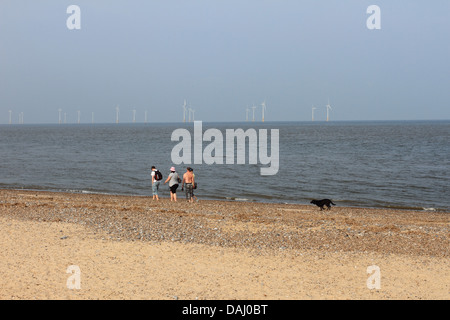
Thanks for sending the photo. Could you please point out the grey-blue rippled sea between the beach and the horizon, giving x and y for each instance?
(373, 164)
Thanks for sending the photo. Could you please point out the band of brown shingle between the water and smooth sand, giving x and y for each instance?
(258, 226)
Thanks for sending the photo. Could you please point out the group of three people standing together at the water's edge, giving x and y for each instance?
(187, 183)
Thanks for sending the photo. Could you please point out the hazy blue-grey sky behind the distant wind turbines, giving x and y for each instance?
(222, 56)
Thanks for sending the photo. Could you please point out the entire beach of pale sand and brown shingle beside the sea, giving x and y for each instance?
(128, 247)
